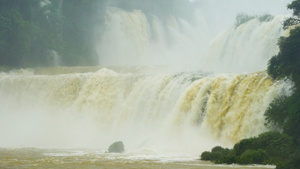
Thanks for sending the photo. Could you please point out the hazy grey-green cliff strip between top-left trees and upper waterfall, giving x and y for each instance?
(81, 18)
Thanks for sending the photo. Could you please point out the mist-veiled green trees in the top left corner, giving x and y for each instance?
(28, 31)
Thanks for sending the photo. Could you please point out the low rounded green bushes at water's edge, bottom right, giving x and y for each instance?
(267, 148)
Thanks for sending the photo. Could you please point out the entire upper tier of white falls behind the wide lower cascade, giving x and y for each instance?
(131, 38)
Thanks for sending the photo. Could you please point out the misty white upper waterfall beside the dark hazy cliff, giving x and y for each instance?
(131, 38)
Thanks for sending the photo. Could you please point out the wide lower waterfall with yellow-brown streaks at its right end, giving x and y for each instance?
(143, 110)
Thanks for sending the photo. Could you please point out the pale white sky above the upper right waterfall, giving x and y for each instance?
(222, 13)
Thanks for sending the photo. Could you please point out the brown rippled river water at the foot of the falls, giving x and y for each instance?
(56, 158)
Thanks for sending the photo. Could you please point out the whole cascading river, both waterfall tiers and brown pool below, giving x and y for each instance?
(67, 117)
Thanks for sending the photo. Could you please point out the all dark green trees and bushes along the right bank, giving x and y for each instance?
(282, 145)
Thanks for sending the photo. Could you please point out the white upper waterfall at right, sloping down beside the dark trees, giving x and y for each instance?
(245, 48)
